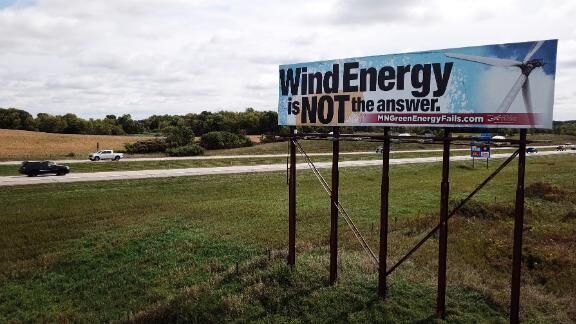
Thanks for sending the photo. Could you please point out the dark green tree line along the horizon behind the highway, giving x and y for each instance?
(248, 122)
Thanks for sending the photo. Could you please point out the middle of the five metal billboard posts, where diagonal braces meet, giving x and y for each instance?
(384, 190)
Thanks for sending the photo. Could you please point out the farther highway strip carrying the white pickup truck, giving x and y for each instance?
(220, 157)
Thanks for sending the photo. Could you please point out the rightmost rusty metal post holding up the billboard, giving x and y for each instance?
(518, 227)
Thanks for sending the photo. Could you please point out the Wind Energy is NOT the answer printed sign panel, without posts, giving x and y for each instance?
(506, 86)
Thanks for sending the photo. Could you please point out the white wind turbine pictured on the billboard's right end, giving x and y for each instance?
(523, 82)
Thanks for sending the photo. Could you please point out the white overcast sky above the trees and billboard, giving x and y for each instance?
(146, 57)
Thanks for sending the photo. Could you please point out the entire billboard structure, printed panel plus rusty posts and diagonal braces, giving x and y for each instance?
(361, 92)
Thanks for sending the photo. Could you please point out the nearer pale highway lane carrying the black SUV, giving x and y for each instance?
(144, 174)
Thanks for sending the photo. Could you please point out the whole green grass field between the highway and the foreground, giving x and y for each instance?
(166, 249)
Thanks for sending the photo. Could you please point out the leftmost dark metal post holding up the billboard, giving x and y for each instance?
(292, 200)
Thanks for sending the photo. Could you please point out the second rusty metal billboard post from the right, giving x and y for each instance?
(443, 240)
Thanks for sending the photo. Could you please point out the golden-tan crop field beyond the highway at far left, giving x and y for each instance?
(22, 145)
